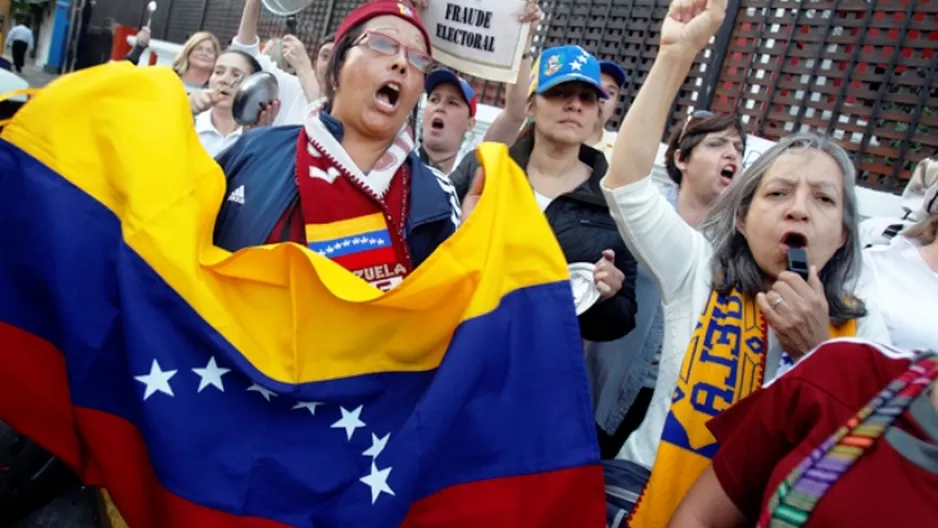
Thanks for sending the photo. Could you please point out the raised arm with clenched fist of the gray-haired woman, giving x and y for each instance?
(671, 250)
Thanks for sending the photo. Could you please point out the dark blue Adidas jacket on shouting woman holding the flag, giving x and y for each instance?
(263, 162)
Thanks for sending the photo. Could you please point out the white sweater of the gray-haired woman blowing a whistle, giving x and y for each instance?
(679, 257)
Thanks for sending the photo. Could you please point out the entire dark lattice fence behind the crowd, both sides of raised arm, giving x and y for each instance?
(863, 71)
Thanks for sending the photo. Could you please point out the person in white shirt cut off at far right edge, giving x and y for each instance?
(902, 277)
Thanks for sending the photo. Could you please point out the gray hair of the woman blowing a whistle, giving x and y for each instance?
(733, 263)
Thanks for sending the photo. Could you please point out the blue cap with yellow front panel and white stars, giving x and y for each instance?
(565, 64)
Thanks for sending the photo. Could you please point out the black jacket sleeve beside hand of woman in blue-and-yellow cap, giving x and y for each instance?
(613, 318)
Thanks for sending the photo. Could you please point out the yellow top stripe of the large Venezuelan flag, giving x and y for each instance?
(310, 319)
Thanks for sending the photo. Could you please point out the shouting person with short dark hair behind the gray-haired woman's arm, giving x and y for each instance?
(623, 373)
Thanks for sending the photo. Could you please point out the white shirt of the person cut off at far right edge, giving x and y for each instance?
(898, 281)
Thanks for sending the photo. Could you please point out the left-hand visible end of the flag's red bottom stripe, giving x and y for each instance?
(34, 399)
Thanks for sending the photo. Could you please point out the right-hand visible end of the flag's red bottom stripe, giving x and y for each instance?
(542, 499)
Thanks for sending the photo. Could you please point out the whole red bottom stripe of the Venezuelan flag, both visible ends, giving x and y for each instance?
(34, 399)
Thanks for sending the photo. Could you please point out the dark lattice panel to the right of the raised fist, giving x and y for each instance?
(864, 72)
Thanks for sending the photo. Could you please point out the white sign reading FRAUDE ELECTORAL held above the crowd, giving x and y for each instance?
(478, 37)
